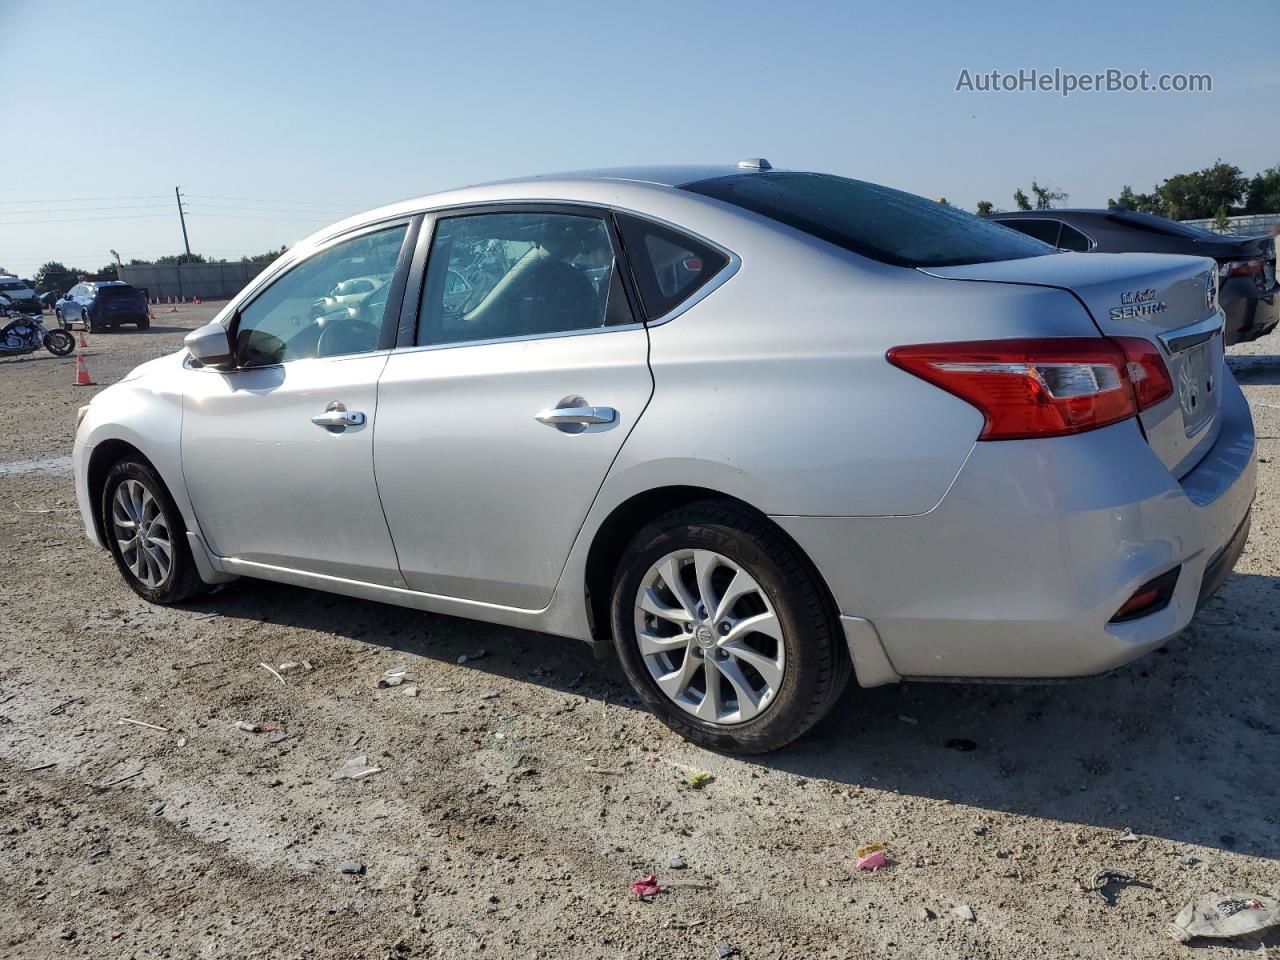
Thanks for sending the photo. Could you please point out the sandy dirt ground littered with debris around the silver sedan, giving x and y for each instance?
(523, 792)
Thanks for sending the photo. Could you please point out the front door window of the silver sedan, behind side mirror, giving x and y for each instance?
(299, 317)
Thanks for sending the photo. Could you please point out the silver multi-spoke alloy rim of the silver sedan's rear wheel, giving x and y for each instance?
(710, 637)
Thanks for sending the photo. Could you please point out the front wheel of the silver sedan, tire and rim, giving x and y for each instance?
(147, 536)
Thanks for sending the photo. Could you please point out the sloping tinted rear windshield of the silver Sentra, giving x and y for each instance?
(877, 222)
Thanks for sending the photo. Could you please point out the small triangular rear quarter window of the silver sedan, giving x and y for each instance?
(670, 267)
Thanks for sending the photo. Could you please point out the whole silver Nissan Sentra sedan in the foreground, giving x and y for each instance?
(810, 427)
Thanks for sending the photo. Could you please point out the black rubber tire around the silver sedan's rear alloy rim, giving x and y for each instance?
(817, 660)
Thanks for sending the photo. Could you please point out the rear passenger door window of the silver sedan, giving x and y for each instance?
(501, 276)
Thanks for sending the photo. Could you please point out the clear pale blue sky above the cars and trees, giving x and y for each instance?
(280, 117)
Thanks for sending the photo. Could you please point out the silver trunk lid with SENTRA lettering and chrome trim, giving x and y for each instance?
(1163, 299)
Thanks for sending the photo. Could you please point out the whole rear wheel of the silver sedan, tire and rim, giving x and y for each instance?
(725, 630)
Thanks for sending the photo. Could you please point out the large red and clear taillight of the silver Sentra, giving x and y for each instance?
(1044, 387)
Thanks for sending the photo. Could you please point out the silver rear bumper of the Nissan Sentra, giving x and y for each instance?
(1020, 570)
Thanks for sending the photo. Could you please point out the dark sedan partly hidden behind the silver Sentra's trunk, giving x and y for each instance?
(1246, 267)
